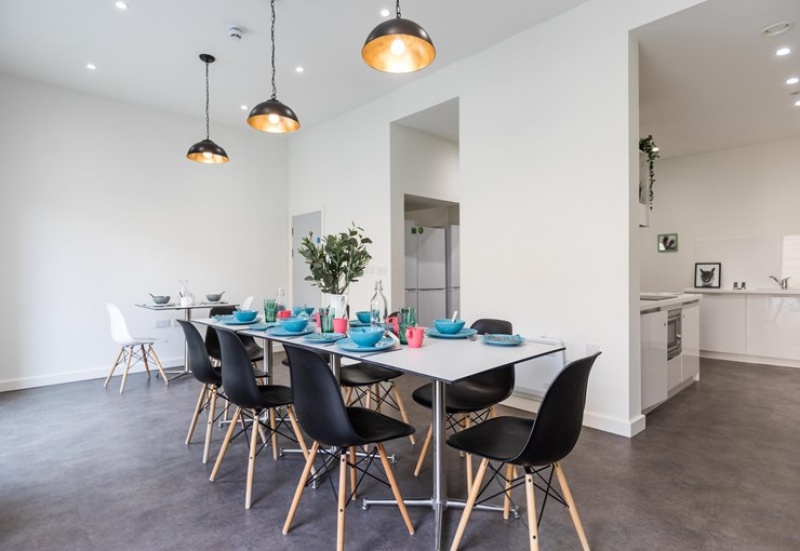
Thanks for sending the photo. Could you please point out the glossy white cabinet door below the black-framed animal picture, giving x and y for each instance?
(723, 323)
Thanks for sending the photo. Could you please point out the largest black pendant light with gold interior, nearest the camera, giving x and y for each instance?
(398, 46)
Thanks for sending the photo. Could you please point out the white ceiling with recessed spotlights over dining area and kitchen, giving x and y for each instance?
(708, 79)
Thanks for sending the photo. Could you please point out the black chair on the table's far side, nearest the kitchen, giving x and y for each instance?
(470, 400)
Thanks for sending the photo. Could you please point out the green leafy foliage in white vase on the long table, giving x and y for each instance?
(338, 260)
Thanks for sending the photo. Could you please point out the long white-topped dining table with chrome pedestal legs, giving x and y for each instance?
(443, 361)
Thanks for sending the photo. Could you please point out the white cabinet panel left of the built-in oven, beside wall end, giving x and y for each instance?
(654, 358)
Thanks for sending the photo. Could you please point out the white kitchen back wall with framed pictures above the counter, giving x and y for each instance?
(720, 204)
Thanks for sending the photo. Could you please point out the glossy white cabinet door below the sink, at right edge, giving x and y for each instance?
(773, 326)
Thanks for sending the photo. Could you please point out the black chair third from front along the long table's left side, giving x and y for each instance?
(210, 377)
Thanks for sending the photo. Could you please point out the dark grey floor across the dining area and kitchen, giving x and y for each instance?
(82, 468)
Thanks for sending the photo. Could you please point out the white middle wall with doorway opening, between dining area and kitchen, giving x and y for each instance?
(548, 185)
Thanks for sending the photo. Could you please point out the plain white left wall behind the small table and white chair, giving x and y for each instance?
(99, 204)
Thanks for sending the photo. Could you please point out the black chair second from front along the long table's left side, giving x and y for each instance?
(251, 401)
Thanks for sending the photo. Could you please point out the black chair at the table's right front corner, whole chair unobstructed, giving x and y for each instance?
(537, 445)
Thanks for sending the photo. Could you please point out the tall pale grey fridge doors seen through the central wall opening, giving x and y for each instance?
(432, 278)
